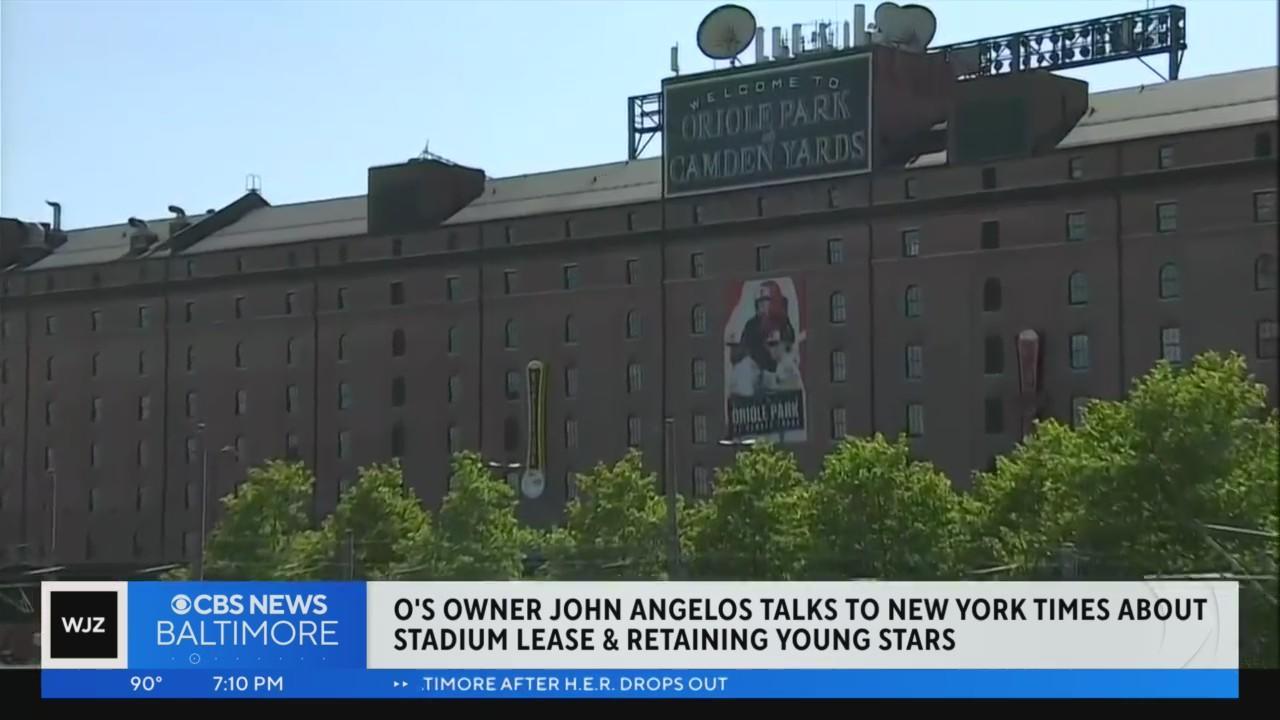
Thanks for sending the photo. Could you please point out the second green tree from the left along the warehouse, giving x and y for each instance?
(377, 528)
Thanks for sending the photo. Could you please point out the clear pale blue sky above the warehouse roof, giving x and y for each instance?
(121, 110)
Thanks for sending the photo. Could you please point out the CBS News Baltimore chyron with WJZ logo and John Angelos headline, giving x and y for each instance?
(641, 640)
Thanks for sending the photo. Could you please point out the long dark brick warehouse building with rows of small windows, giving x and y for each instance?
(401, 323)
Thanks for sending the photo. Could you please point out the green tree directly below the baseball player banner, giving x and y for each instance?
(756, 523)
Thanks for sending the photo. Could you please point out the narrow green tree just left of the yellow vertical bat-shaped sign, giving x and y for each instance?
(481, 539)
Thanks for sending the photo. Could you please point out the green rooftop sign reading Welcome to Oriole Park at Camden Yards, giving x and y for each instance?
(766, 125)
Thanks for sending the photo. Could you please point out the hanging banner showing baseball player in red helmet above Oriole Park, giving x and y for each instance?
(765, 395)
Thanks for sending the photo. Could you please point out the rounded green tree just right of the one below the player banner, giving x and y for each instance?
(879, 514)
